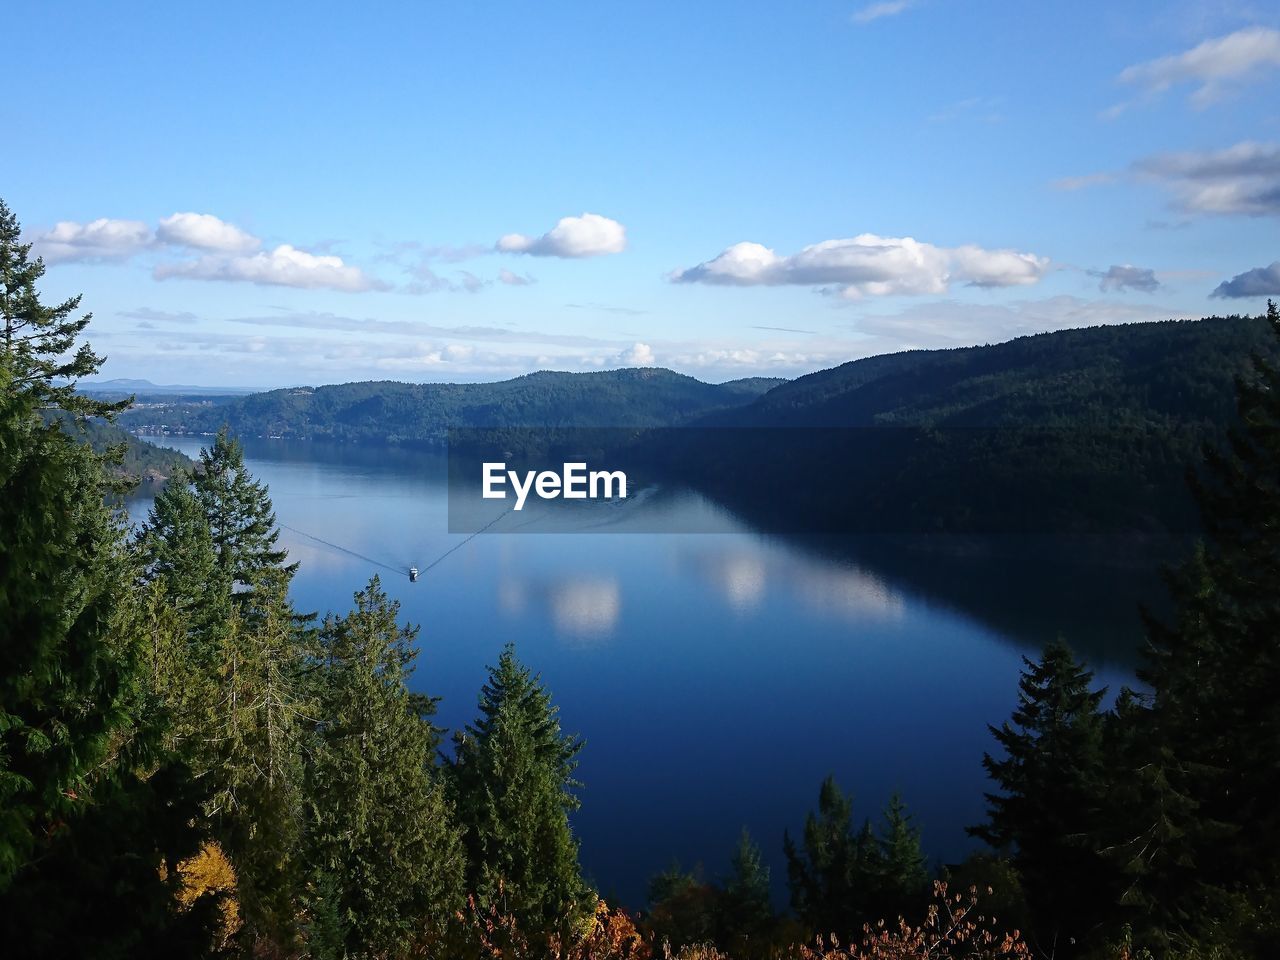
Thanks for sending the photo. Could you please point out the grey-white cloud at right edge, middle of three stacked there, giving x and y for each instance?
(1241, 180)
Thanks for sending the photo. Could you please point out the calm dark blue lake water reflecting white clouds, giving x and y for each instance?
(716, 678)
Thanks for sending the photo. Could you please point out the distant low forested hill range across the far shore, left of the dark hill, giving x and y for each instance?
(401, 413)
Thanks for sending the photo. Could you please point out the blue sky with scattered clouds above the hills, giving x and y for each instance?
(268, 195)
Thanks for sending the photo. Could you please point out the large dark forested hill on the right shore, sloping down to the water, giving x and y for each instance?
(1089, 431)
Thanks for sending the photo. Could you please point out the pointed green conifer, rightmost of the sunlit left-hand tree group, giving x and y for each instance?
(513, 778)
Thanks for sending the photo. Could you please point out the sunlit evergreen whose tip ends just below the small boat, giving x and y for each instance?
(381, 842)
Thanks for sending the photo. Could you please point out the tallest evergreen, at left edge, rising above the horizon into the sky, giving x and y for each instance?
(90, 807)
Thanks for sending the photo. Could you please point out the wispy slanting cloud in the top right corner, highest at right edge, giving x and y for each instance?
(1214, 67)
